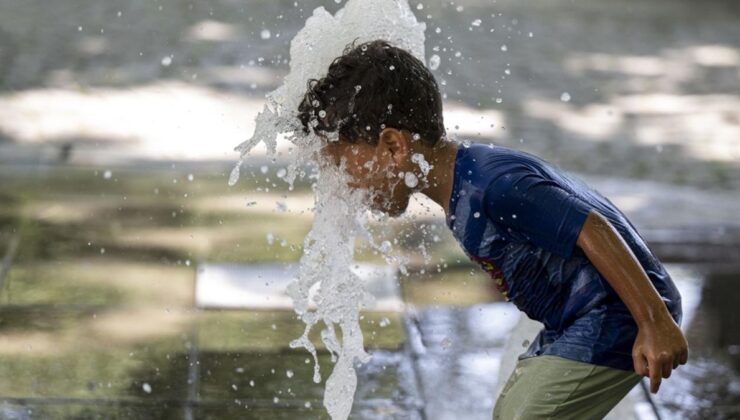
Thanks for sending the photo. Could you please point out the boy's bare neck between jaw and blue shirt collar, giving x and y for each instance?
(442, 159)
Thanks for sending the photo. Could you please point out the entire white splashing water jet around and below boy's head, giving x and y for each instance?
(340, 213)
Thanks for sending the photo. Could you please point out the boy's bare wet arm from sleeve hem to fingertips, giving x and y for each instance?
(660, 346)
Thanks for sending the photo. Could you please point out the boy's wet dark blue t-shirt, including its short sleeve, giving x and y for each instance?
(519, 217)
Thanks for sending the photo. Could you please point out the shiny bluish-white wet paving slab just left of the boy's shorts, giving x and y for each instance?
(457, 353)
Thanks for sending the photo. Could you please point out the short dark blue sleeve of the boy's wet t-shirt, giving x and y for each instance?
(547, 214)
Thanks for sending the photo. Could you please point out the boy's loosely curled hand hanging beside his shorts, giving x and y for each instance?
(659, 348)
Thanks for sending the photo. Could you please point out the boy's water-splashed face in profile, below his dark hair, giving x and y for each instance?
(375, 168)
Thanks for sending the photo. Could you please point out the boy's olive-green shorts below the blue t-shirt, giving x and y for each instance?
(554, 387)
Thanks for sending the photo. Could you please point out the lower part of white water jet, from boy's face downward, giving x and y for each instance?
(328, 256)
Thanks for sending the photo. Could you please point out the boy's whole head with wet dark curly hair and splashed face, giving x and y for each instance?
(384, 106)
